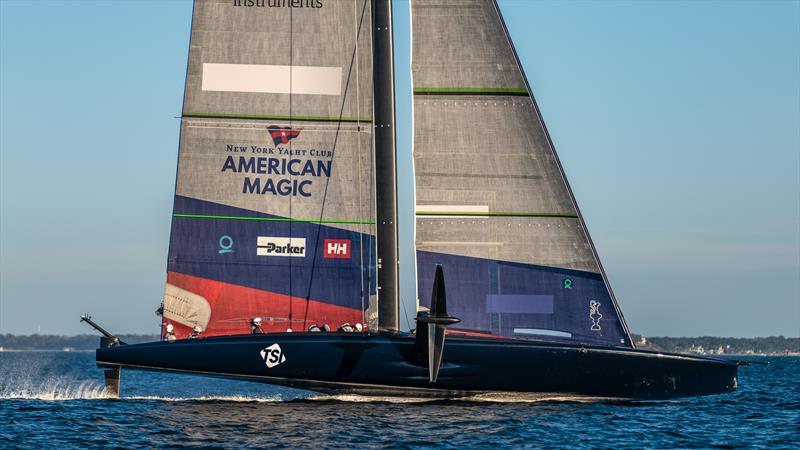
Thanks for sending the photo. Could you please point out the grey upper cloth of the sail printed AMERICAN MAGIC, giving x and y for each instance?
(240, 60)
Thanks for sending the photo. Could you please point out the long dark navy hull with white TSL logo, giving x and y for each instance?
(391, 365)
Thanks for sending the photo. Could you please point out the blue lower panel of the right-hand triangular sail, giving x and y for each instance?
(494, 297)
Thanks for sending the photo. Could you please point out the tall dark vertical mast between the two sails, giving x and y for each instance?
(385, 164)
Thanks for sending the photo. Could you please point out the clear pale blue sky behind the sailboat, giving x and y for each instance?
(678, 124)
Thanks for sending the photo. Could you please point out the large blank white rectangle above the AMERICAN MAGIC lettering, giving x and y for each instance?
(272, 79)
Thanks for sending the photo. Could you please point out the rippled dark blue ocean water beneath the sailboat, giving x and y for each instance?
(56, 400)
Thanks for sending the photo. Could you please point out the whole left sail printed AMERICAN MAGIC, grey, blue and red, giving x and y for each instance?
(274, 206)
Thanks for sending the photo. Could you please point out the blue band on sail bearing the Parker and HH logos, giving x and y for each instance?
(238, 246)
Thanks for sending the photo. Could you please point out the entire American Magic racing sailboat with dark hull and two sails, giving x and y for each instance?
(284, 225)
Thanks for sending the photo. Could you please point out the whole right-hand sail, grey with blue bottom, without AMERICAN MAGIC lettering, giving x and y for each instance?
(492, 203)
